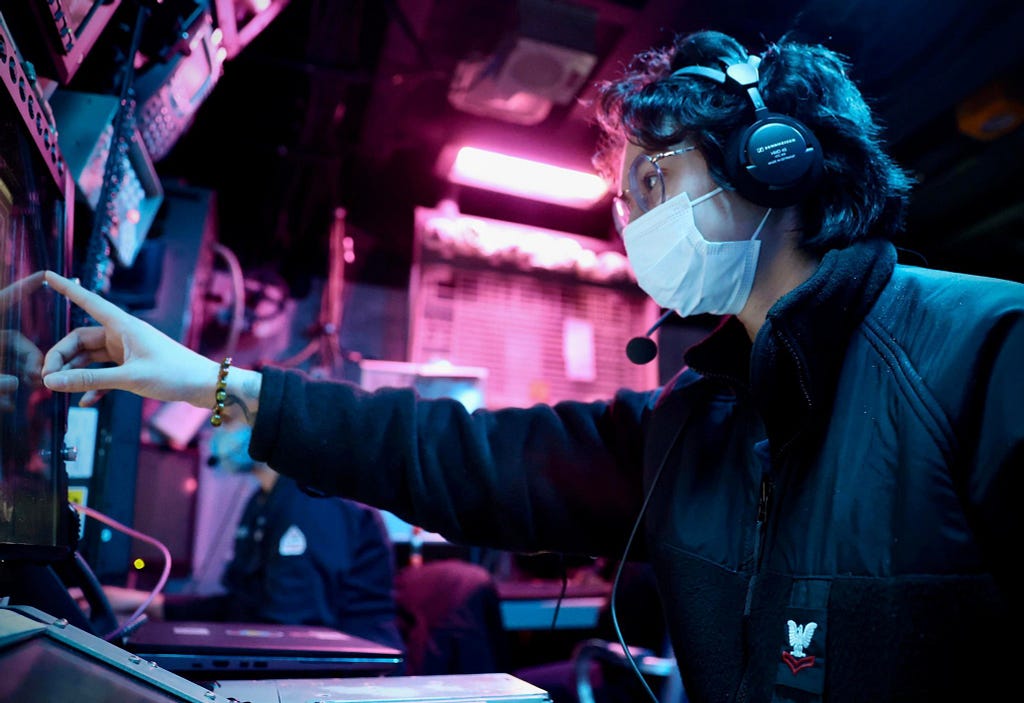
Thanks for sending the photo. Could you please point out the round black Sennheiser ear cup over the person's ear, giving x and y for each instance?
(775, 162)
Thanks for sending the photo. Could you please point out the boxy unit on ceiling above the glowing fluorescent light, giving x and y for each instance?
(544, 63)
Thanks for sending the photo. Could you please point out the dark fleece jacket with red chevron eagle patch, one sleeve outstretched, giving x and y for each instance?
(829, 511)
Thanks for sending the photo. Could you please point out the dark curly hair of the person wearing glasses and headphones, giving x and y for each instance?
(863, 193)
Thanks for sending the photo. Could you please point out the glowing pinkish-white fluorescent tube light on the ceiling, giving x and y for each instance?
(526, 179)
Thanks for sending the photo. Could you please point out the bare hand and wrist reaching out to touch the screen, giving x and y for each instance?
(139, 359)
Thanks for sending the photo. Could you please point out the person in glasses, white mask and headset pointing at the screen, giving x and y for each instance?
(826, 491)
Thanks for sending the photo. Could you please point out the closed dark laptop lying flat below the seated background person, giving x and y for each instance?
(219, 650)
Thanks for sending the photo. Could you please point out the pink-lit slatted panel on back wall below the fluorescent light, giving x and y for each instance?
(514, 325)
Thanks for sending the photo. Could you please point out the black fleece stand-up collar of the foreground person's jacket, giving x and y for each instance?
(793, 367)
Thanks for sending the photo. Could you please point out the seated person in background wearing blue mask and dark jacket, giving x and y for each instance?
(298, 559)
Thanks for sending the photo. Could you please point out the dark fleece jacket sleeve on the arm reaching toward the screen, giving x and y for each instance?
(565, 477)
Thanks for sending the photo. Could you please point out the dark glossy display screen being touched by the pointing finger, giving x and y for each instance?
(34, 217)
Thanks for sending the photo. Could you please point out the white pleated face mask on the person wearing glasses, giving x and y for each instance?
(686, 273)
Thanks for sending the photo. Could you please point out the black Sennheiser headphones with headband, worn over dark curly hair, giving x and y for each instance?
(776, 160)
